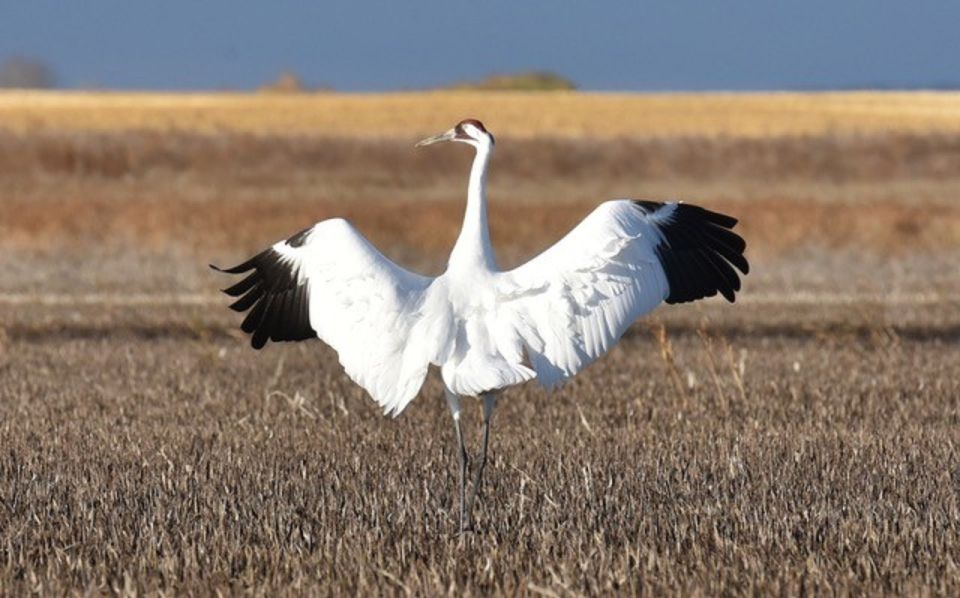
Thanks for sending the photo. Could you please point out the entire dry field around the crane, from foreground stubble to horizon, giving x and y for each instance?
(802, 440)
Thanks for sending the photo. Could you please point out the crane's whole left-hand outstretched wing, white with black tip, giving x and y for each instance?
(329, 282)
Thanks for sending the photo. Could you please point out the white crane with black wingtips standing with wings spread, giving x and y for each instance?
(486, 329)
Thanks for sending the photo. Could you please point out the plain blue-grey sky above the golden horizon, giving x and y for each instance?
(678, 45)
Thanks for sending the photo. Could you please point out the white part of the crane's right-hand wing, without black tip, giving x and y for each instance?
(573, 302)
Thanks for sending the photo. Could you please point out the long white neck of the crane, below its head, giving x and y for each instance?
(473, 249)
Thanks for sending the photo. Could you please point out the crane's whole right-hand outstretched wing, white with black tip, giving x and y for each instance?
(570, 304)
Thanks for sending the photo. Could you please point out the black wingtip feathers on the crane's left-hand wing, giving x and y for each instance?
(276, 297)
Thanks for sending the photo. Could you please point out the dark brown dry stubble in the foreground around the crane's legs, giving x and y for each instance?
(775, 462)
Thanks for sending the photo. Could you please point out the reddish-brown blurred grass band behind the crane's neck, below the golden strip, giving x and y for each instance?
(210, 194)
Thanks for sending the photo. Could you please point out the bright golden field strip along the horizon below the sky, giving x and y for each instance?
(513, 114)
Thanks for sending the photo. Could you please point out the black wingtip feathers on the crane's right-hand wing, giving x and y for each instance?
(700, 254)
